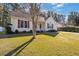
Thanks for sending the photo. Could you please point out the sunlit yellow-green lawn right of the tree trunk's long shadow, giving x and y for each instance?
(61, 44)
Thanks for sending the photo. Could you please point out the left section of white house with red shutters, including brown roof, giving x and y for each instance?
(20, 21)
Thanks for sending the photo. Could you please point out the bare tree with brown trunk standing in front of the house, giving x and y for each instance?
(34, 12)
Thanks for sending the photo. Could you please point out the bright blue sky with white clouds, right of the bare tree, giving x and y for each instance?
(62, 8)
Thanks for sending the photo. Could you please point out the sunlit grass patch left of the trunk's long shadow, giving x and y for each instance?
(9, 44)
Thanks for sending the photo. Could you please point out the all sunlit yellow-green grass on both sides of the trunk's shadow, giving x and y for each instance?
(63, 44)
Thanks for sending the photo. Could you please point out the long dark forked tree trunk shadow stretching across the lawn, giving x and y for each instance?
(19, 48)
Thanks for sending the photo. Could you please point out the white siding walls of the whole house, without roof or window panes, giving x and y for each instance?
(53, 25)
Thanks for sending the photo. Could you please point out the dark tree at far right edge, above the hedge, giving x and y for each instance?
(73, 18)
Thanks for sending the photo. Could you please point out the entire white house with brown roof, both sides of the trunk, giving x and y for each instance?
(23, 22)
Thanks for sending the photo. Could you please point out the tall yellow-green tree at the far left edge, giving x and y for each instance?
(5, 16)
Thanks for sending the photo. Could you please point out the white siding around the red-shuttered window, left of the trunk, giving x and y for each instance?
(16, 26)
